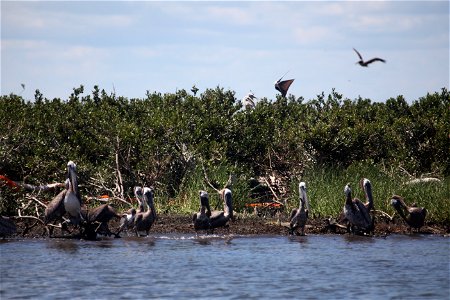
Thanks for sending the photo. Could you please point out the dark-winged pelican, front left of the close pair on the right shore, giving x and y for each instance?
(356, 212)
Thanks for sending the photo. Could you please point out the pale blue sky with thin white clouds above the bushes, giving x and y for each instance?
(131, 47)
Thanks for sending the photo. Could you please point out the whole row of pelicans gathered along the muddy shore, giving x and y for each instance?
(359, 215)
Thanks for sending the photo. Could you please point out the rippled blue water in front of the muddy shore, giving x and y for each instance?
(227, 267)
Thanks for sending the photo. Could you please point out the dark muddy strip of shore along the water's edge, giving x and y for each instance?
(242, 225)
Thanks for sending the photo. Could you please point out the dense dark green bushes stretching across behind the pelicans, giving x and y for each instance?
(172, 140)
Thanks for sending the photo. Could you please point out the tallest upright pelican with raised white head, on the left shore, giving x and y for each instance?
(72, 199)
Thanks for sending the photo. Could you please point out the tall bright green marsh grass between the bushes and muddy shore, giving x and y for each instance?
(325, 189)
